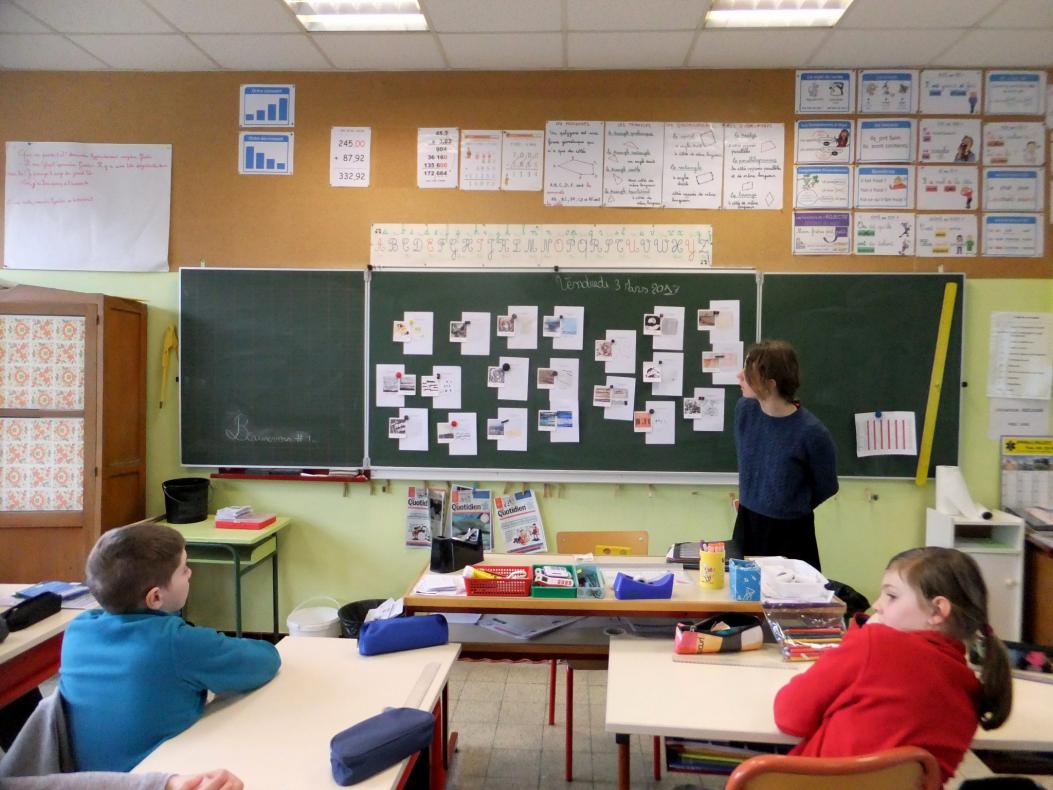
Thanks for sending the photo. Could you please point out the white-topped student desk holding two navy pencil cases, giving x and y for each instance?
(279, 737)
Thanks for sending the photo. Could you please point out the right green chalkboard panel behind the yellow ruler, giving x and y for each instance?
(866, 344)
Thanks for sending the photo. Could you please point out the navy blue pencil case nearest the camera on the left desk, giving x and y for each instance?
(380, 742)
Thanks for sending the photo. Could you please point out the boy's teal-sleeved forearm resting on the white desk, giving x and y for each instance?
(222, 664)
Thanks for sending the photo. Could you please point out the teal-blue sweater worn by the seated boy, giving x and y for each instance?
(132, 681)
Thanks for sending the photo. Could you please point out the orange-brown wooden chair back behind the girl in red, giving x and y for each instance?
(903, 768)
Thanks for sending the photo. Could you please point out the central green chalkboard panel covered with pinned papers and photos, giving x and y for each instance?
(612, 301)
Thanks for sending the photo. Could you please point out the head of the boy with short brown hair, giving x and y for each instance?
(130, 562)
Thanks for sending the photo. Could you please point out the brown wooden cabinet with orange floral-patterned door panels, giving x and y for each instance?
(73, 427)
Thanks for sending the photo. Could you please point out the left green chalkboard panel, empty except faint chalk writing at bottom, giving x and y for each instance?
(271, 368)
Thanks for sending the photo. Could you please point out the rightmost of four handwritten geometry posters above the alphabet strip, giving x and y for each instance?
(754, 155)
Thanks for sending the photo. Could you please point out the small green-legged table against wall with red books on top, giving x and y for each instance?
(242, 549)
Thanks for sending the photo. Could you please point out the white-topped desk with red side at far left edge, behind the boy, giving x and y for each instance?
(30, 657)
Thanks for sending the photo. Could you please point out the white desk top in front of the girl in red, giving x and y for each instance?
(650, 694)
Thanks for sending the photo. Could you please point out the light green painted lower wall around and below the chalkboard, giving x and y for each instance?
(351, 547)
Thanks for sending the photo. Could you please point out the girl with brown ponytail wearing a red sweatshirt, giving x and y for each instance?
(902, 680)
